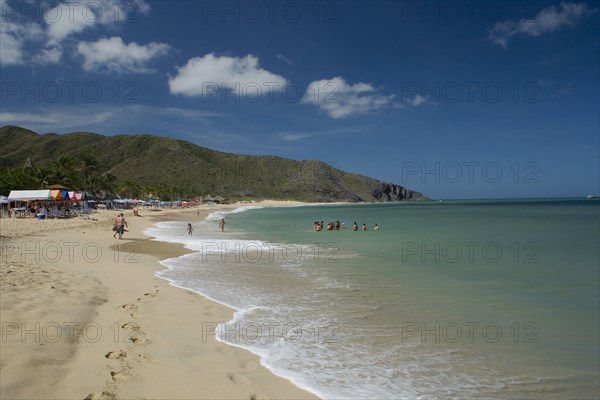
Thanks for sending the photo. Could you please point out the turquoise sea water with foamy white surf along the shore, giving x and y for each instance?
(465, 299)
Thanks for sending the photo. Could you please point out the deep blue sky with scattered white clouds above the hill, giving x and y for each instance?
(453, 99)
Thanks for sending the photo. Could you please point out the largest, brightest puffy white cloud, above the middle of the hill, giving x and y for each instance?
(204, 75)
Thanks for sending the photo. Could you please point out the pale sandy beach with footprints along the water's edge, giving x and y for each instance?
(84, 316)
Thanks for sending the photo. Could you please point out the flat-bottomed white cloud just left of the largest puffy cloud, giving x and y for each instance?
(115, 56)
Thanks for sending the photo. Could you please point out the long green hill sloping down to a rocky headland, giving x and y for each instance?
(138, 165)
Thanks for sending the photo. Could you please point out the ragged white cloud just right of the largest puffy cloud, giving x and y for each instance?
(340, 99)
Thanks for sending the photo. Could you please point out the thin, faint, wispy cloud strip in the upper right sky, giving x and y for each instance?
(548, 20)
